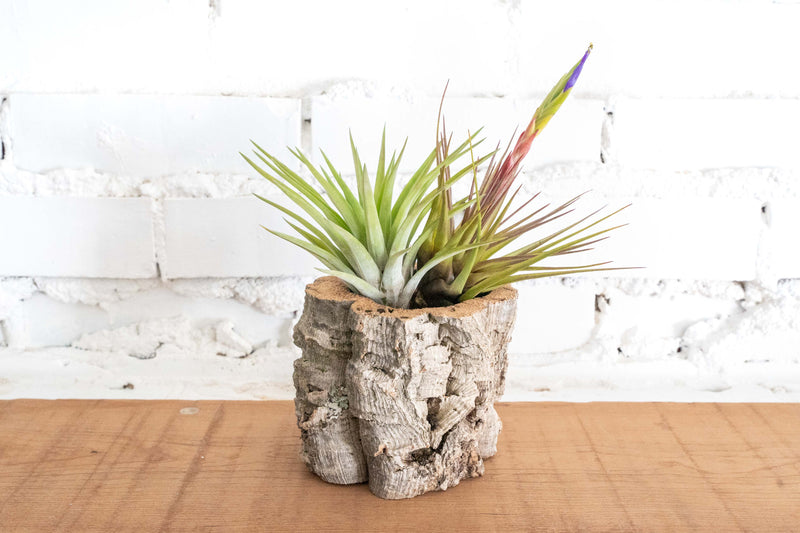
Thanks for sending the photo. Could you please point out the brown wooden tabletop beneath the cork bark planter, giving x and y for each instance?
(145, 466)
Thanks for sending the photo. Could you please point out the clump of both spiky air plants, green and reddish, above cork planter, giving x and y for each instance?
(420, 247)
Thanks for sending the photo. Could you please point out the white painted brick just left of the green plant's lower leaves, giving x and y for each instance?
(223, 238)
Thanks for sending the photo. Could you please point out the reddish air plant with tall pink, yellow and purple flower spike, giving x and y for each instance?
(486, 226)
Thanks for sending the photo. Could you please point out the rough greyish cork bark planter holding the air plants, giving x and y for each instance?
(401, 398)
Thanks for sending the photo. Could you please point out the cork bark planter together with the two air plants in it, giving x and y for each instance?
(404, 342)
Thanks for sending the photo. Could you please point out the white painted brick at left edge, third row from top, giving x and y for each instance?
(80, 237)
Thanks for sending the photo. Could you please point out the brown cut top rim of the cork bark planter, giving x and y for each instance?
(333, 288)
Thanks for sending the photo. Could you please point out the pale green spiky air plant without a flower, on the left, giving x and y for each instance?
(367, 237)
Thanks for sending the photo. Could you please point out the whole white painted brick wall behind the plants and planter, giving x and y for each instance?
(126, 225)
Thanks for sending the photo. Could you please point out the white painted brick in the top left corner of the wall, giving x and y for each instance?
(52, 46)
